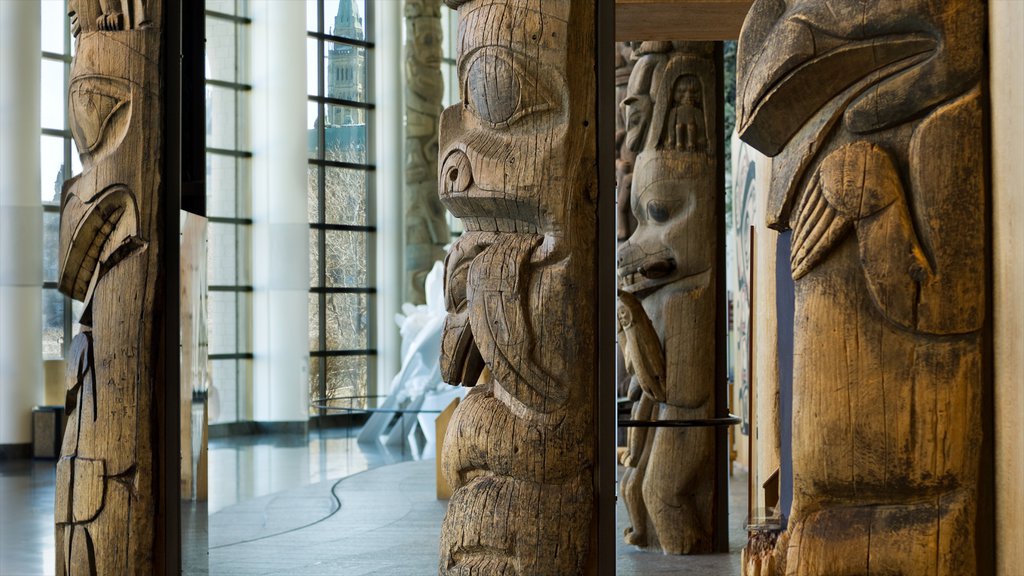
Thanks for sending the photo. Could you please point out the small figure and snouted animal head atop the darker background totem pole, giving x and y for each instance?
(673, 196)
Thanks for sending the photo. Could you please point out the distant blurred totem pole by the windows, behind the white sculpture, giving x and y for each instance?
(426, 229)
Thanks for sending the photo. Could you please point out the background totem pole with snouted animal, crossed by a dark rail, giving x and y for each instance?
(668, 295)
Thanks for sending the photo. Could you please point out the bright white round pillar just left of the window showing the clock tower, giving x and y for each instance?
(281, 228)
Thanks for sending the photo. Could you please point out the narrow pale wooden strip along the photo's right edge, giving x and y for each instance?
(1007, 54)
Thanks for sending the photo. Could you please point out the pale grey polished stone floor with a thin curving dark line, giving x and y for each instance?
(307, 505)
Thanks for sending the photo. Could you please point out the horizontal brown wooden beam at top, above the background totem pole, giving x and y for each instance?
(679, 20)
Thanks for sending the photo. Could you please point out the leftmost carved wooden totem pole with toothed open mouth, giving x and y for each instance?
(106, 489)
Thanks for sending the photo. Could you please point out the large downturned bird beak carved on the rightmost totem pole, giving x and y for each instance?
(798, 70)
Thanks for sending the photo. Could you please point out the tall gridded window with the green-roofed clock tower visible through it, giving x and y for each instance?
(340, 124)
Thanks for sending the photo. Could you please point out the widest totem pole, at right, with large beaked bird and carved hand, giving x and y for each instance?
(874, 113)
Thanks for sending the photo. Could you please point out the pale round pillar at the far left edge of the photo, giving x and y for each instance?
(21, 222)
